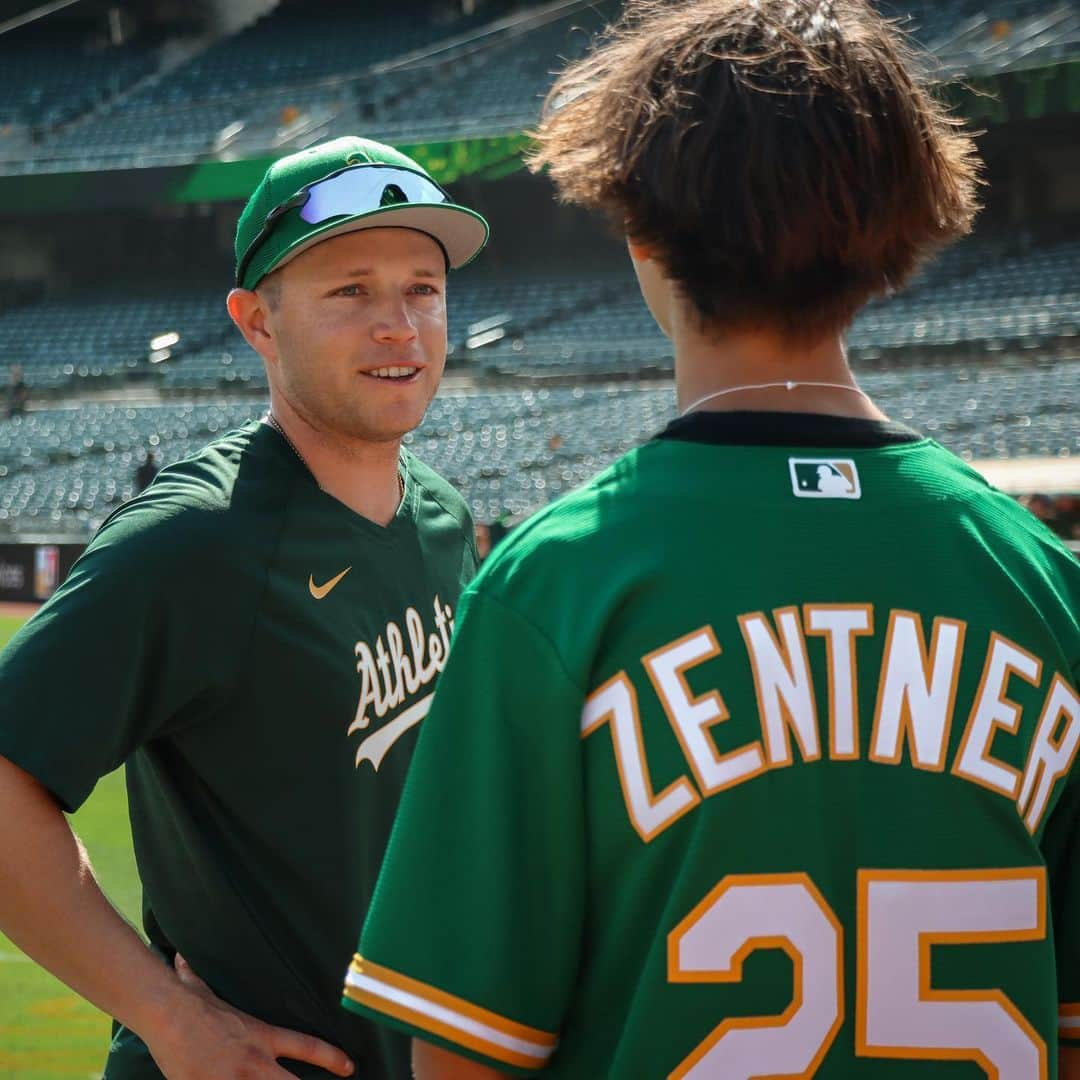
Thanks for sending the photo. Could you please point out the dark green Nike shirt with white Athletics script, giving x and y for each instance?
(261, 657)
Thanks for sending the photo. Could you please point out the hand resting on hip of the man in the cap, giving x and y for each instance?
(211, 1039)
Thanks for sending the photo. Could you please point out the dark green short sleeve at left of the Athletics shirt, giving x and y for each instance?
(114, 659)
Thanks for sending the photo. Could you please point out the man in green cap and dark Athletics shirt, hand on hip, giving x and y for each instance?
(258, 637)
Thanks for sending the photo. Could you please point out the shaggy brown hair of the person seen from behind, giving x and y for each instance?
(777, 157)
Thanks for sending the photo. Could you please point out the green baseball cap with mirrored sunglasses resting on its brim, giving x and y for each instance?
(342, 186)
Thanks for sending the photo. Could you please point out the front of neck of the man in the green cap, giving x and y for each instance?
(361, 475)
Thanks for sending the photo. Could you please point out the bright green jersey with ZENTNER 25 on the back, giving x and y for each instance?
(753, 759)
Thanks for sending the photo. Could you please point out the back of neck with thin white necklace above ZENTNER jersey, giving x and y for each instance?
(762, 372)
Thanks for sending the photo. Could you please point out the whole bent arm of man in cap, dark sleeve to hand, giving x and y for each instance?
(73, 710)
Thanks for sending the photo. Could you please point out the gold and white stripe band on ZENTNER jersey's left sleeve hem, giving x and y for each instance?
(449, 1017)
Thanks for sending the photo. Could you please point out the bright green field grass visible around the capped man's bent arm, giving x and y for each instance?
(47, 1033)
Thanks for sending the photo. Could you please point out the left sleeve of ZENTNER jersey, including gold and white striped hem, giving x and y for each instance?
(474, 936)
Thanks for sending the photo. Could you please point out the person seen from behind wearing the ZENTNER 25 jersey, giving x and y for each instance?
(755, 757)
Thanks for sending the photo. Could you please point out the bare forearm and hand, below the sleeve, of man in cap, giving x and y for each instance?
(52, 908)
